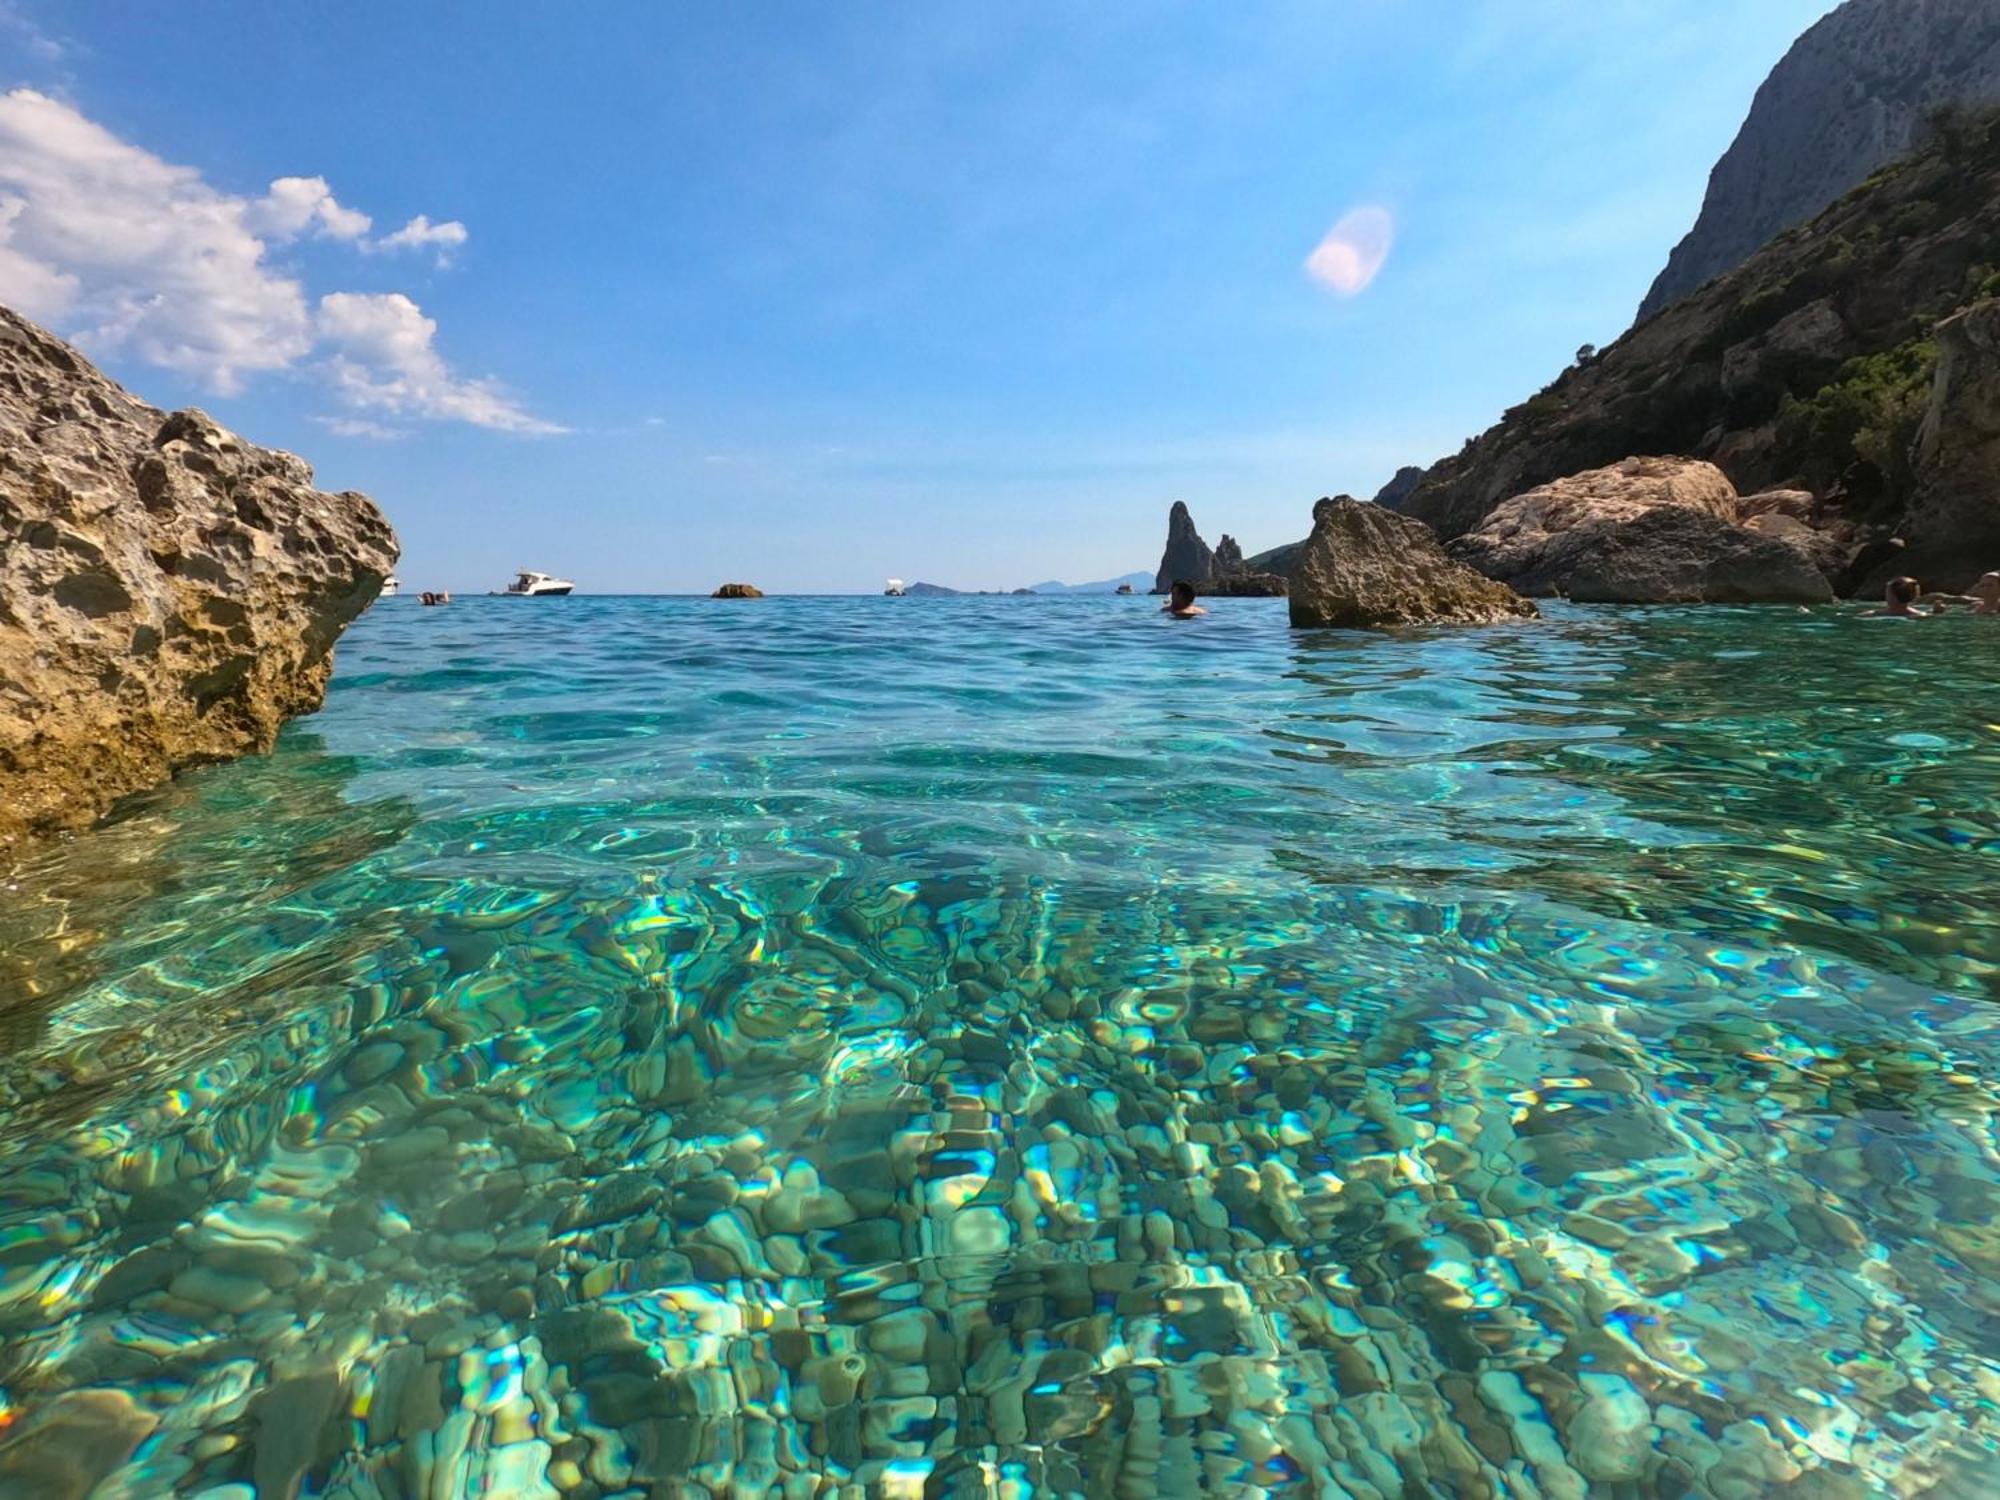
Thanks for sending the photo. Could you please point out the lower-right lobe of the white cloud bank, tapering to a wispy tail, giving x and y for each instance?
(383, 359)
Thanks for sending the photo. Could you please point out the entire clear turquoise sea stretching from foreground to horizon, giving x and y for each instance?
(1027, 1047)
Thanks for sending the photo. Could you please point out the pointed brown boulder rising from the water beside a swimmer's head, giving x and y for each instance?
(1369, 569)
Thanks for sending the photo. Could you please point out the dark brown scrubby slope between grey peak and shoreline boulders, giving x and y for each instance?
(1809, 369)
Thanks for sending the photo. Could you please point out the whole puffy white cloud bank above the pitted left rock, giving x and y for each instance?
(137, 257)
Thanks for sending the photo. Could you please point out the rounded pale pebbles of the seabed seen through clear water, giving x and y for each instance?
(689, 1191)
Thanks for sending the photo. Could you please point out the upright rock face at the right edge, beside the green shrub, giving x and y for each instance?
(1955, 519)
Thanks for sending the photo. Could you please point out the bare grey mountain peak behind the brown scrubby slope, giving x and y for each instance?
(1851, 97)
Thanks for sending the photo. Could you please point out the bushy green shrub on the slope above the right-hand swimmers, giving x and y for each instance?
(1859, 429)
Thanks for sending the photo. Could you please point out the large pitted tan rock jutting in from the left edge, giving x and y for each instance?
(169, 593)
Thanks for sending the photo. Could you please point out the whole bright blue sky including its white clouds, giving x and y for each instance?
(815, 295)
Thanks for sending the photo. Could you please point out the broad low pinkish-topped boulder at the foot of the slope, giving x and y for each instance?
(1649, 531)
